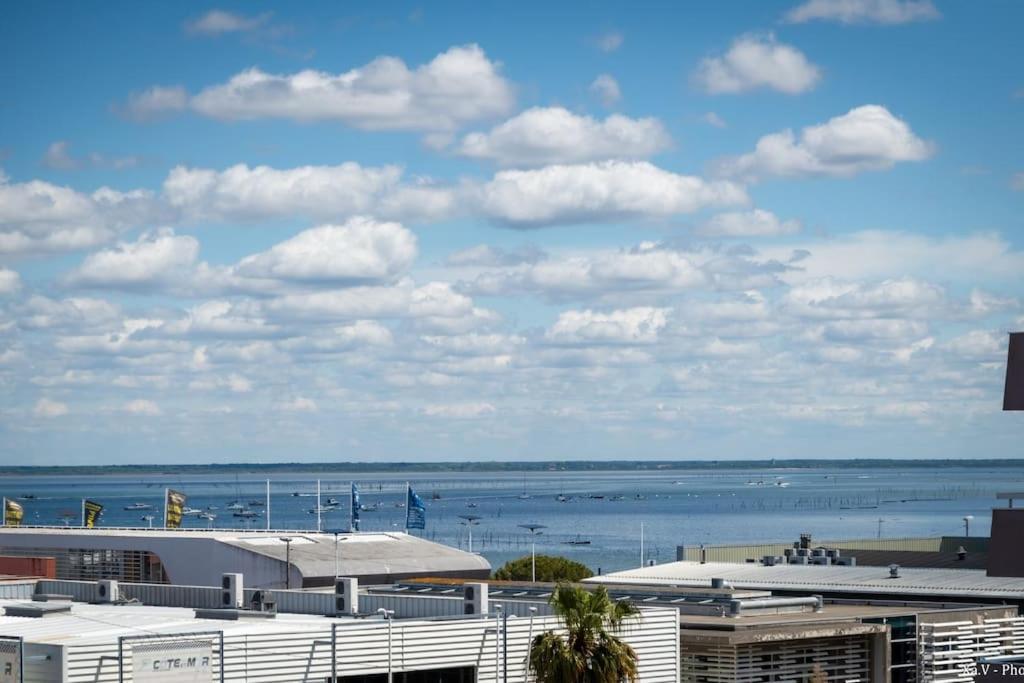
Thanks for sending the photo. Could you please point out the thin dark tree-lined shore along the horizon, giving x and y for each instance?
(511, 466)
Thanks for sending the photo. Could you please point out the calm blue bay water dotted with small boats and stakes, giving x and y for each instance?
(608, 509)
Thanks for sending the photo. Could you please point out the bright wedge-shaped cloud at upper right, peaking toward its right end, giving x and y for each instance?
(866, 139)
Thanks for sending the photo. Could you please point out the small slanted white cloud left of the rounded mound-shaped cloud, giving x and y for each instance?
(160, 257)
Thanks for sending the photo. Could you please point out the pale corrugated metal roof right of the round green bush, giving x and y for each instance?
(918, 582)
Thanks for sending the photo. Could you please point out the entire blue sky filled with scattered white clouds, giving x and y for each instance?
(408, 232)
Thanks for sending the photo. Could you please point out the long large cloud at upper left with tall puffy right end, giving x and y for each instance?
(458, 87)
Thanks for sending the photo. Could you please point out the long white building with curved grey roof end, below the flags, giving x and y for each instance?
(199, 558)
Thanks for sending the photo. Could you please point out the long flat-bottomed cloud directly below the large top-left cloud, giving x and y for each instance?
(321, 193)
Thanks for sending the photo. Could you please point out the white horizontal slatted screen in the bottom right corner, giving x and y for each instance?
(949, 650)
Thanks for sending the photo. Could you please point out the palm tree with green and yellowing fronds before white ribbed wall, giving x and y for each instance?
(587, 653)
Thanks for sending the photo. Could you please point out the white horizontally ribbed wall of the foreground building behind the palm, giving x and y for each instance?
(269, 656)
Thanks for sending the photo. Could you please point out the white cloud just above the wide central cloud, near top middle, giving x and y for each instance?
(556, 136)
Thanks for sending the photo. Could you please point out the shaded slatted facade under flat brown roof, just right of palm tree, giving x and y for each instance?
(841, 660)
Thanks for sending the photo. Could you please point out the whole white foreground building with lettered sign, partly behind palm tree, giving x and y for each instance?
(79, 643)
